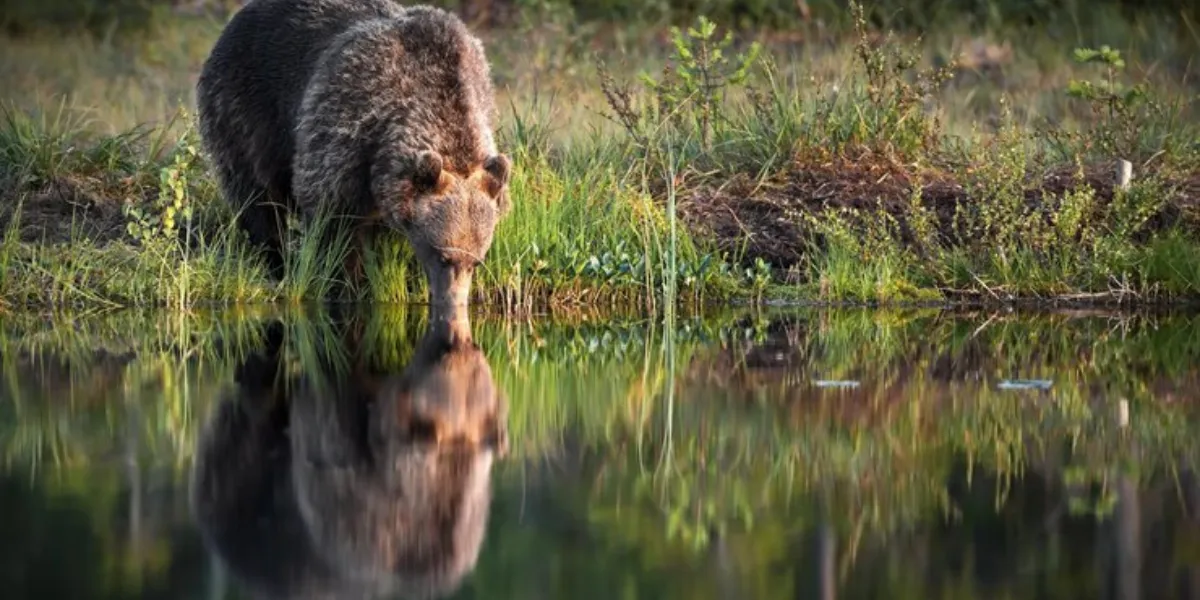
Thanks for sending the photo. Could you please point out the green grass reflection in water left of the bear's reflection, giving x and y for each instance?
(79, 389)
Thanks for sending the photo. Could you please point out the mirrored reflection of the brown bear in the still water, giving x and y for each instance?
(357, 485)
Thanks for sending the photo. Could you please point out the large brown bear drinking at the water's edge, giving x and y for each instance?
(363, 110)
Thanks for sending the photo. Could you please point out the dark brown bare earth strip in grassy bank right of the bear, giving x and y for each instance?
(764, 218)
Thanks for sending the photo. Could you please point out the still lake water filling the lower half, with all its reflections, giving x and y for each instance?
(737, 455)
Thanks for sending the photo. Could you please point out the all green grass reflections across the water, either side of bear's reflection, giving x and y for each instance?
(745, 448)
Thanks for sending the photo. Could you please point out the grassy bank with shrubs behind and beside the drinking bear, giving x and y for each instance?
(837, 165)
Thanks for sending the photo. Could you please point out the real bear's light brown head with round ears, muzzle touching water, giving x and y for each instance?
(447, 218)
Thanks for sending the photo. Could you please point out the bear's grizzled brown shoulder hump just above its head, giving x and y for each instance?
(416, 83)
